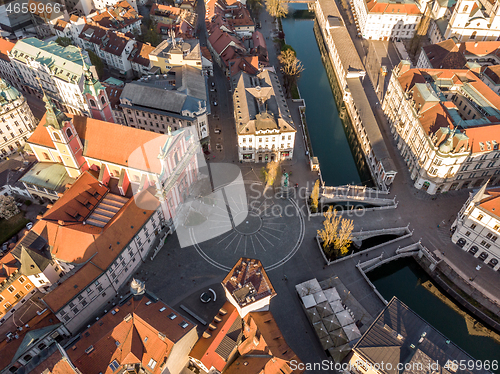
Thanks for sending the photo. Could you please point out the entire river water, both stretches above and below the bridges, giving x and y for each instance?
(404, 279)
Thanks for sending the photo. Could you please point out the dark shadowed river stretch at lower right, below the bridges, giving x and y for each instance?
(405, 279)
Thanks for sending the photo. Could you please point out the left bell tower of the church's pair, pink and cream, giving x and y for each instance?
(69, 148)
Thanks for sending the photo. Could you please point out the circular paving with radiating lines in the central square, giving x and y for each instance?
(247, 220)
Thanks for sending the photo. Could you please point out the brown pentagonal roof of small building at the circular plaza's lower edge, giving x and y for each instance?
(248, 282)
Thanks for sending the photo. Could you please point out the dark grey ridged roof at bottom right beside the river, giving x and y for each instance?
(399, 335)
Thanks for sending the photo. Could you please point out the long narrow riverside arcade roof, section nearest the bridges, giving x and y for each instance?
(370, 124)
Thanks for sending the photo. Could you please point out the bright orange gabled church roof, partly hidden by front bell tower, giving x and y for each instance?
(130, 147)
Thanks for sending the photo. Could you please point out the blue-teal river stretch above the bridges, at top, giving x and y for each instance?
(325, 128)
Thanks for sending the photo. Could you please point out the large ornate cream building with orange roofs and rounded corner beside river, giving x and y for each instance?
(424, 115)
